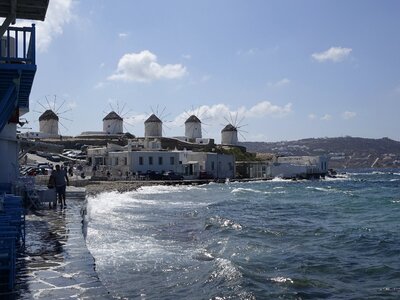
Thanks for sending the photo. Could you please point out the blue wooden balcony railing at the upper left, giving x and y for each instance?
(18, 45)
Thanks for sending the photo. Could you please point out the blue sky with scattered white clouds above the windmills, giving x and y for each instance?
(278, 70)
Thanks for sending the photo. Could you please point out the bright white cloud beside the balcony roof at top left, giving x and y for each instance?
(59, 13)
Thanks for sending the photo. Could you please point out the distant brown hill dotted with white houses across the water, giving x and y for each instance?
(344, 152)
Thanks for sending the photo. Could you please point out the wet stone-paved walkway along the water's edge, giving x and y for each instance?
(56, 263)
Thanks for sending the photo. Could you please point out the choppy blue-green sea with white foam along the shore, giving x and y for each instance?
(334, 238)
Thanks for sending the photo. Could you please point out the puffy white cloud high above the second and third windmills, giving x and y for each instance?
(143, 67)
